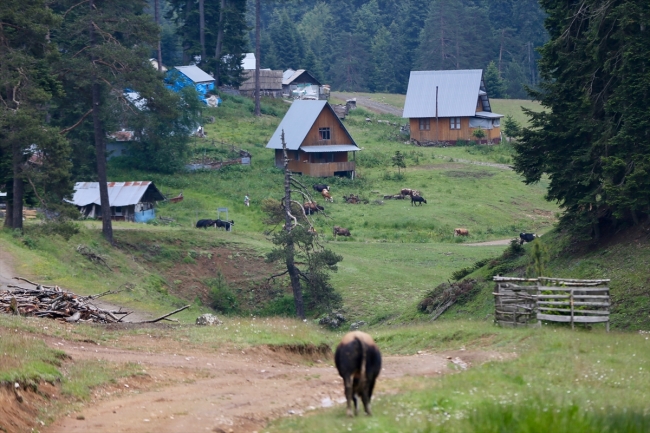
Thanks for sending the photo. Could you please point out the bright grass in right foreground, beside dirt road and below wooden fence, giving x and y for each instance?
(561, 381)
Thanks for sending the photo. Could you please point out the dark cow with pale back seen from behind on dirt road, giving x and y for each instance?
(358, 362)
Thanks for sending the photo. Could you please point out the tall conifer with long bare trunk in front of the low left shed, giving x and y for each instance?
(105, 46)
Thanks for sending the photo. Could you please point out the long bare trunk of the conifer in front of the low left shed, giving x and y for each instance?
(100, 149)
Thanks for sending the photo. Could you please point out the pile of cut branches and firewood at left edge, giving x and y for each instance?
(55, 303)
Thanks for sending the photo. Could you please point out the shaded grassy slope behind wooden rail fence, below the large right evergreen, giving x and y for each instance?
(624, 258)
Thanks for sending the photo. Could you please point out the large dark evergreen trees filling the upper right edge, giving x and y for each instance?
(593, 141)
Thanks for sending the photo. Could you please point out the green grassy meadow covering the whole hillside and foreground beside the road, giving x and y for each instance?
(556, 380)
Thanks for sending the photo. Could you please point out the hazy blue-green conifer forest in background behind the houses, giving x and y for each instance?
(372, 45)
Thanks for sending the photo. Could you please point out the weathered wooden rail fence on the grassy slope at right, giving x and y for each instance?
(521, 301)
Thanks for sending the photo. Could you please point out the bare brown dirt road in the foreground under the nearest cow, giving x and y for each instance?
(229, 390)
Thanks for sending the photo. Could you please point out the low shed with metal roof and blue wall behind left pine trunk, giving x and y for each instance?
(130, 201)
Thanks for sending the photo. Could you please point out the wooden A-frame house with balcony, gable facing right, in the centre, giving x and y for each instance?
(317, 142)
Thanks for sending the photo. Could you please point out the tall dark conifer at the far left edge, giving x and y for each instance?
(33, 155)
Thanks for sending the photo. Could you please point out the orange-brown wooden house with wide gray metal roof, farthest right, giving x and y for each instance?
(444, 107)
